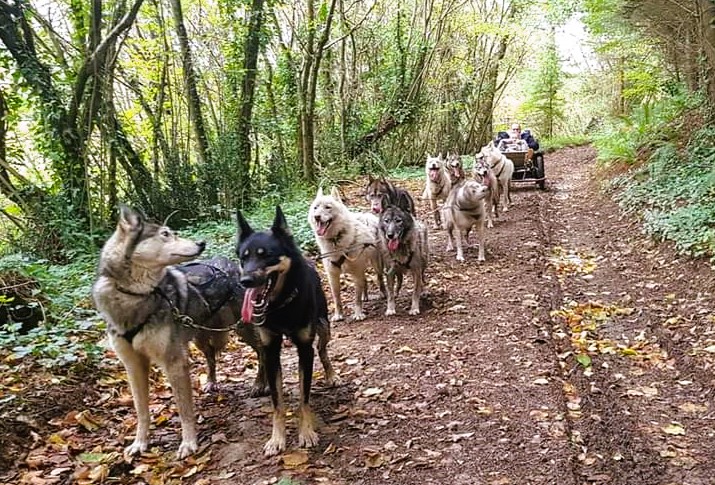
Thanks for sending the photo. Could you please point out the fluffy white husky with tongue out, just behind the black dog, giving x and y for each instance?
(348, 242)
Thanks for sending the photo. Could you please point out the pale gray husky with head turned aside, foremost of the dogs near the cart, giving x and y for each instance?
(463, 210)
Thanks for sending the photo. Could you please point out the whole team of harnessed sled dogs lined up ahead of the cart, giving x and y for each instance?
(156, 297)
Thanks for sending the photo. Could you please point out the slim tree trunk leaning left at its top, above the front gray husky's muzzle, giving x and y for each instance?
(192, 92)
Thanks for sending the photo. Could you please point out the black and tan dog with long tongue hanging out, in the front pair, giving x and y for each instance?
(284, 296)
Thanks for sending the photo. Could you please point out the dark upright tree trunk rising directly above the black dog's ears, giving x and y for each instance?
(248, 88)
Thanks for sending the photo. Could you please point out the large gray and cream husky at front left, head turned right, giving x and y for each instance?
(153, 309)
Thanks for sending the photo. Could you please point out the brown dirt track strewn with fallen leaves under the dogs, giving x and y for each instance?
(580, 352)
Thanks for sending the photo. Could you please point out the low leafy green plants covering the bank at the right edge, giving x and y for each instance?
(675, 194)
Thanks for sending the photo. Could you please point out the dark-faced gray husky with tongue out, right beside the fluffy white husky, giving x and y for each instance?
(404, 240)
